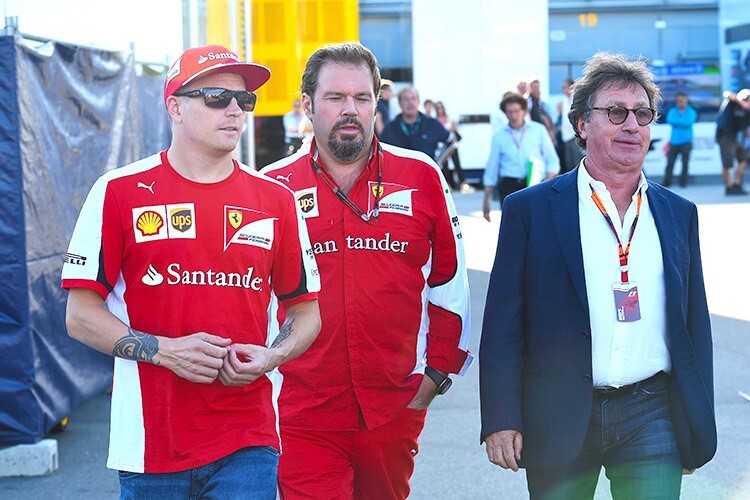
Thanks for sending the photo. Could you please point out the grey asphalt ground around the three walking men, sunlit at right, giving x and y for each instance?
(451, 463)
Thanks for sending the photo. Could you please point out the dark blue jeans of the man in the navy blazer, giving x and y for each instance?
(633, 438)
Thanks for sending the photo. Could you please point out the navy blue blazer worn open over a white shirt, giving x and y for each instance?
(535, 351)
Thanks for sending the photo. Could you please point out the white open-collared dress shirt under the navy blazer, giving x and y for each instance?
(622, 353)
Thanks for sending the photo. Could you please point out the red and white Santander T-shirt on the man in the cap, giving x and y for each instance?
(173, 257)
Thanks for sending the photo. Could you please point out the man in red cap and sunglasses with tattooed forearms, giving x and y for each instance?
(173, 267)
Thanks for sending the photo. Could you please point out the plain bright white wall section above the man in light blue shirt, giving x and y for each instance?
(468, 58)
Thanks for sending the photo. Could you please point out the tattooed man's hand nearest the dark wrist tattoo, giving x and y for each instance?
(197, 357)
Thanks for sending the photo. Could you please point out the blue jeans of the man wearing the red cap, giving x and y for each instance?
(246, 473)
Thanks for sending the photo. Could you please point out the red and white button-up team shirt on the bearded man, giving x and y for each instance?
(394, 291)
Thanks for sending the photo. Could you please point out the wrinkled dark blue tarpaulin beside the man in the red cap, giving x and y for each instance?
(67, 114)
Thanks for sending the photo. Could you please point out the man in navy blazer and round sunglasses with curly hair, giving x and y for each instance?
(596, 344)
